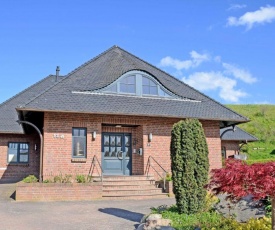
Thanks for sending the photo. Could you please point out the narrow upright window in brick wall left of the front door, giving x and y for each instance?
(79, 142)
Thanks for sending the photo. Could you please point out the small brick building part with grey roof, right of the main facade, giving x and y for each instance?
(233, 139)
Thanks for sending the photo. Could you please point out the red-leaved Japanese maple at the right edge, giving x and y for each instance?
(239, 179)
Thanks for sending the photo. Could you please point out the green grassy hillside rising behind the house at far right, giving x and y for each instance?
(262, 126)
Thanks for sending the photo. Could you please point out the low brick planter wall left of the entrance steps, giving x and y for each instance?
(58, 191)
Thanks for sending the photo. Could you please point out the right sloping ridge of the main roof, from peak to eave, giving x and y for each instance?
(183, 83)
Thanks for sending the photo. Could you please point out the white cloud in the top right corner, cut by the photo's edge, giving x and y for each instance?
(261, 16)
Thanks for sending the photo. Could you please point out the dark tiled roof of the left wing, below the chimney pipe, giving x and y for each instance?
(8, 114)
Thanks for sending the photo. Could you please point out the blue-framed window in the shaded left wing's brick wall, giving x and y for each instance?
(18, 152)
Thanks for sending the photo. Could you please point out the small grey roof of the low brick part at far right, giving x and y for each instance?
(237, 135)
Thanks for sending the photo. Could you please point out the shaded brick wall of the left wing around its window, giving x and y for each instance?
(14, 171)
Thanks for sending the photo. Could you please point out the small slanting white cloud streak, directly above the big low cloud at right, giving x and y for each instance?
(239, 73)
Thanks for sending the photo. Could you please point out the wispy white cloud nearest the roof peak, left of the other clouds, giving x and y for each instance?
(196, 60)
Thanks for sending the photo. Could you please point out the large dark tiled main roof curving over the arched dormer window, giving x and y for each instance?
(72, 93)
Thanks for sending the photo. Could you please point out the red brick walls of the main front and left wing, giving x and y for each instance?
(57, 134)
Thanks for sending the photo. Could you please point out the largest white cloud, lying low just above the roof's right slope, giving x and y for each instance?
(215, 81)
